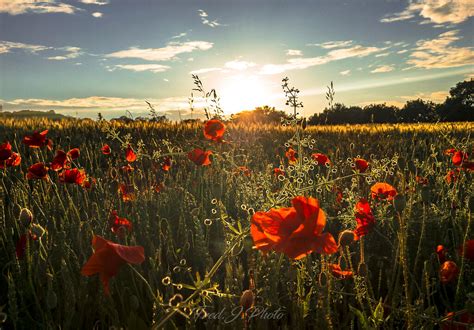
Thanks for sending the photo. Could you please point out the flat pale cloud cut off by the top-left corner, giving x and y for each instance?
(17, 7)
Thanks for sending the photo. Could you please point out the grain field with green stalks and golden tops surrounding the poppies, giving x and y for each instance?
(193, 223)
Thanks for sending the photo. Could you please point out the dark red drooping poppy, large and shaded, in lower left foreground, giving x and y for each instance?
(108, 257)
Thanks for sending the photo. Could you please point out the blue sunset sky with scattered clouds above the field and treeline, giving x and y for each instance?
(81, 57)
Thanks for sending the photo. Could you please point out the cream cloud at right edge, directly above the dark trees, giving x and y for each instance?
(439, 53)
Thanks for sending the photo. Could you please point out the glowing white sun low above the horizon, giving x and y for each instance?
(244, 92)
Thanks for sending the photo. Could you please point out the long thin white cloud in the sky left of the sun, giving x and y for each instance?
(166, 53)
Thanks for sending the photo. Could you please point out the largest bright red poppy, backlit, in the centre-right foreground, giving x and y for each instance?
(295, 231)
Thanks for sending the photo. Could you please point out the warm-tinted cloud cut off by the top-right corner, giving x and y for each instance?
(435, 11)
